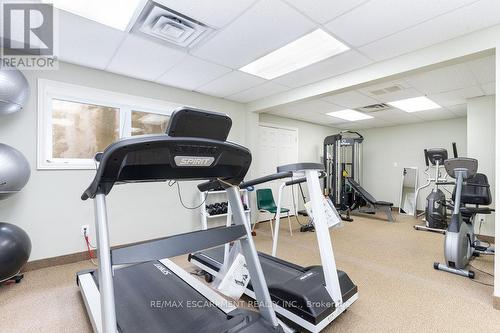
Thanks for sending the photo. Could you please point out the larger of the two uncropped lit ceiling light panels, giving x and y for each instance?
(307, 50)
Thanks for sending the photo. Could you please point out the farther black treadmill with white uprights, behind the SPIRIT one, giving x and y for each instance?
(308, 298)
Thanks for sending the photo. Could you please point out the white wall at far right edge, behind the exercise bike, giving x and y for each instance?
(481, 145)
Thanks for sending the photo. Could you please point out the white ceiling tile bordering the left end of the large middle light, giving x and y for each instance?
(230, 84)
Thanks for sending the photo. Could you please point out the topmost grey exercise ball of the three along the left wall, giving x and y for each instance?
(14, 90)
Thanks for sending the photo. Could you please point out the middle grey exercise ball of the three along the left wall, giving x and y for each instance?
(14, 171)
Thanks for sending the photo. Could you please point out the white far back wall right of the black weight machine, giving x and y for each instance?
(386, 151)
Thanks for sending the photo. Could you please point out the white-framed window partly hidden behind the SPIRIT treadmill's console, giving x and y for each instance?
(75, 123)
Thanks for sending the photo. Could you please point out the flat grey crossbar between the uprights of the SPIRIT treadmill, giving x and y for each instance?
(176, 245)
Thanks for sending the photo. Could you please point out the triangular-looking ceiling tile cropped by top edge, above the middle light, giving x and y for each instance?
(324, 11)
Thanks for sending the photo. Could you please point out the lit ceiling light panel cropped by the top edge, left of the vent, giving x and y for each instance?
(114, 13)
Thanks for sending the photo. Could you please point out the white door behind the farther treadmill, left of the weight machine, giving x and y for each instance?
(277, 146)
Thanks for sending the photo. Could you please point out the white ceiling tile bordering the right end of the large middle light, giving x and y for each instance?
(379, 18)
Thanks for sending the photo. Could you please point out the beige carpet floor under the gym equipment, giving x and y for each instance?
(399, 291)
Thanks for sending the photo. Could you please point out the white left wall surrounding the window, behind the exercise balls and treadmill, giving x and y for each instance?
(49, 207)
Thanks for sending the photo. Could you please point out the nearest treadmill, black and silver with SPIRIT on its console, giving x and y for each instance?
(135, 288)
